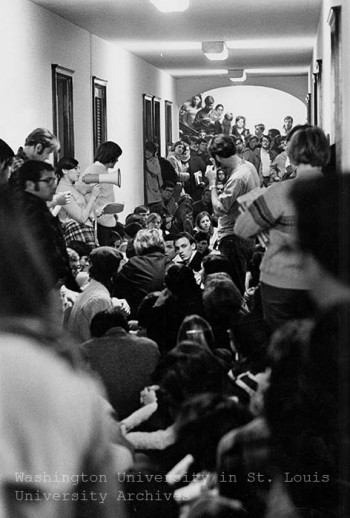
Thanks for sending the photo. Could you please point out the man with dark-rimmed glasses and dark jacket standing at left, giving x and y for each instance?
(37, 182)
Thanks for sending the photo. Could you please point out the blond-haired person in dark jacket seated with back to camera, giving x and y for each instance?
(144, 272)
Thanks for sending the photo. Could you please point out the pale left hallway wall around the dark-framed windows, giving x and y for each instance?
(31, 39)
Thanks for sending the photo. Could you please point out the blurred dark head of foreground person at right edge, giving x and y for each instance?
(323, 221)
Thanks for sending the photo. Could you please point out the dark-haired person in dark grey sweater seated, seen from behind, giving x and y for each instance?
(124, 361)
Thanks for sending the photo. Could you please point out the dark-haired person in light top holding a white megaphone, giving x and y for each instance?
(106, 157)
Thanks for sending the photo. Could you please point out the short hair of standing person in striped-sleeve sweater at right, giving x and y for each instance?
(309, 145)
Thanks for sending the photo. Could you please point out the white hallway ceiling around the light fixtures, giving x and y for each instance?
(273, 34)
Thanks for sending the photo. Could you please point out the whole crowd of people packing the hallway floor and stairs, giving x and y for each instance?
(192, 361)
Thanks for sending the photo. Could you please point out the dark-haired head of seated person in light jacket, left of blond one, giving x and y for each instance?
(105, 262)
